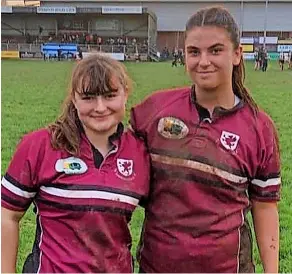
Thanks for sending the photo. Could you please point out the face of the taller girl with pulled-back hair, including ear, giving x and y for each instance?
(210, 57)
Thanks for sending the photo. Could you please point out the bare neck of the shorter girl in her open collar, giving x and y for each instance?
(100, 140)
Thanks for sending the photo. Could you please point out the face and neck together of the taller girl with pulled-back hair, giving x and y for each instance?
(210, 57)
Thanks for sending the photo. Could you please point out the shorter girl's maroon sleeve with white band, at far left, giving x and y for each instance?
(19, 186)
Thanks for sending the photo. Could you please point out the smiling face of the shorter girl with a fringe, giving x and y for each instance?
(100, 114)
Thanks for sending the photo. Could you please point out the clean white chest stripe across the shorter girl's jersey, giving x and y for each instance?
(90, 194)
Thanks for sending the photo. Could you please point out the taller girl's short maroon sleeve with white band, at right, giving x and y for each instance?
(267, 182)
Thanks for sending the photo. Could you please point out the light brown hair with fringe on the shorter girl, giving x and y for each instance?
(91, 76)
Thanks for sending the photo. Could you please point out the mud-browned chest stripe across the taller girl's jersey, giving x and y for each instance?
(198, 166)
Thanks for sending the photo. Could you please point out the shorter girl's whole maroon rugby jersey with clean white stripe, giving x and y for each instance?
(83, 208)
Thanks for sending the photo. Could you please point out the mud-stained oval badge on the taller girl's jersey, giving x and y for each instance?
(172, 128)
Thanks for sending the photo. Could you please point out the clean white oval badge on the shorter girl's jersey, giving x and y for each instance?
(71, 165)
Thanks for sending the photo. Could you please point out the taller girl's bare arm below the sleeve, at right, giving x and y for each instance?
(266, 225)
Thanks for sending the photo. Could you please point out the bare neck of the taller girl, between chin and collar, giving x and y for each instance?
(221, 96)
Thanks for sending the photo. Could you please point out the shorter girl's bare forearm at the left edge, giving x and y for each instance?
(9, 245)
